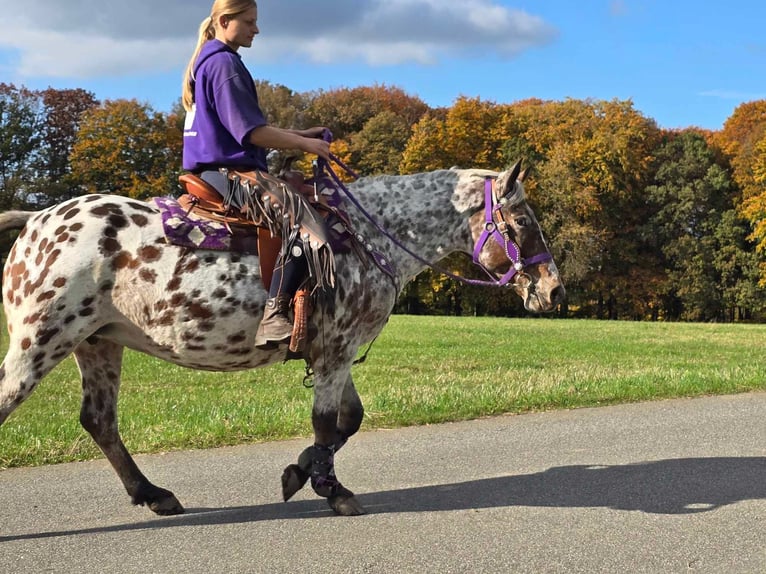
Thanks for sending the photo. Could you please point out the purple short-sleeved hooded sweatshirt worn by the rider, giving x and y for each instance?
(225, 111)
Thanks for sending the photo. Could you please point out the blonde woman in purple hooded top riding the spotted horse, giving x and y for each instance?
(225, 127)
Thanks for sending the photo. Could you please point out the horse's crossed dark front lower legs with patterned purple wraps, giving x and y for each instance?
(337, 414)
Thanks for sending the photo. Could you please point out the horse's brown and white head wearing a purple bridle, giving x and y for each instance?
(510, 244)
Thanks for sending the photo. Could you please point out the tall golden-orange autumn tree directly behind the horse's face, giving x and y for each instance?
(594, 163)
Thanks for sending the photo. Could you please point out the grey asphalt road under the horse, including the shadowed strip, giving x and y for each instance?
(670, 486)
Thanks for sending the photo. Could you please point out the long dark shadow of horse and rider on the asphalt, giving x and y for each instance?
(674, 486)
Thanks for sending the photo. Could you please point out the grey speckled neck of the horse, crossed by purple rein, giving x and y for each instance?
(418, 212)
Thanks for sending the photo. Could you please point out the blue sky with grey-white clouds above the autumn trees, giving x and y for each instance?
(683, 63)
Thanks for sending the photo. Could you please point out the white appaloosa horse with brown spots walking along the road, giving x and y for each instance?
(95, 274)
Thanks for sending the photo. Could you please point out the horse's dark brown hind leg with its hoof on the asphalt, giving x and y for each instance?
(100, 363)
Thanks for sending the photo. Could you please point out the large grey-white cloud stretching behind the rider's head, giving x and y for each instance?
(86, 38)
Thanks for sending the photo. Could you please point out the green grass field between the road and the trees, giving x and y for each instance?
(421, 370)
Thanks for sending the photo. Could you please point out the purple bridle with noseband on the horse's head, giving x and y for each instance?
(496, 226)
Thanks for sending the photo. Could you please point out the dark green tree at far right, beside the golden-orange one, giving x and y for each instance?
(709, 264)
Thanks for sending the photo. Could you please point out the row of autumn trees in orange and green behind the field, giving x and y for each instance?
(645, 223)
